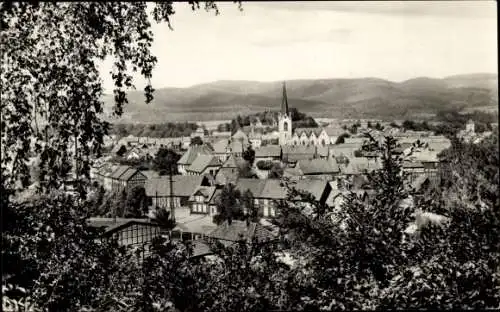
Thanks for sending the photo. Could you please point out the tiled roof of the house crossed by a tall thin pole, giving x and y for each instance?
(183, 185)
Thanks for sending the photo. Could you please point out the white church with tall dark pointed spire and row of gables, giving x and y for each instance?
(303, 136)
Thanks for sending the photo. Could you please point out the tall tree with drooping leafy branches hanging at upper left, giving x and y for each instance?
(59, 116)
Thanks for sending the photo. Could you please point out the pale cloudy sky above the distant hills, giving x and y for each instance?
(270, 41)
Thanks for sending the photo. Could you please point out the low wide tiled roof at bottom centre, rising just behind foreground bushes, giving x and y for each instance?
(240, 230)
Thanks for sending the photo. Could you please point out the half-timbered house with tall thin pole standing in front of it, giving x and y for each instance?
(161, 197)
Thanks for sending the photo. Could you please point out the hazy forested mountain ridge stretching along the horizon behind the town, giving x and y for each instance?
(334, 98)
